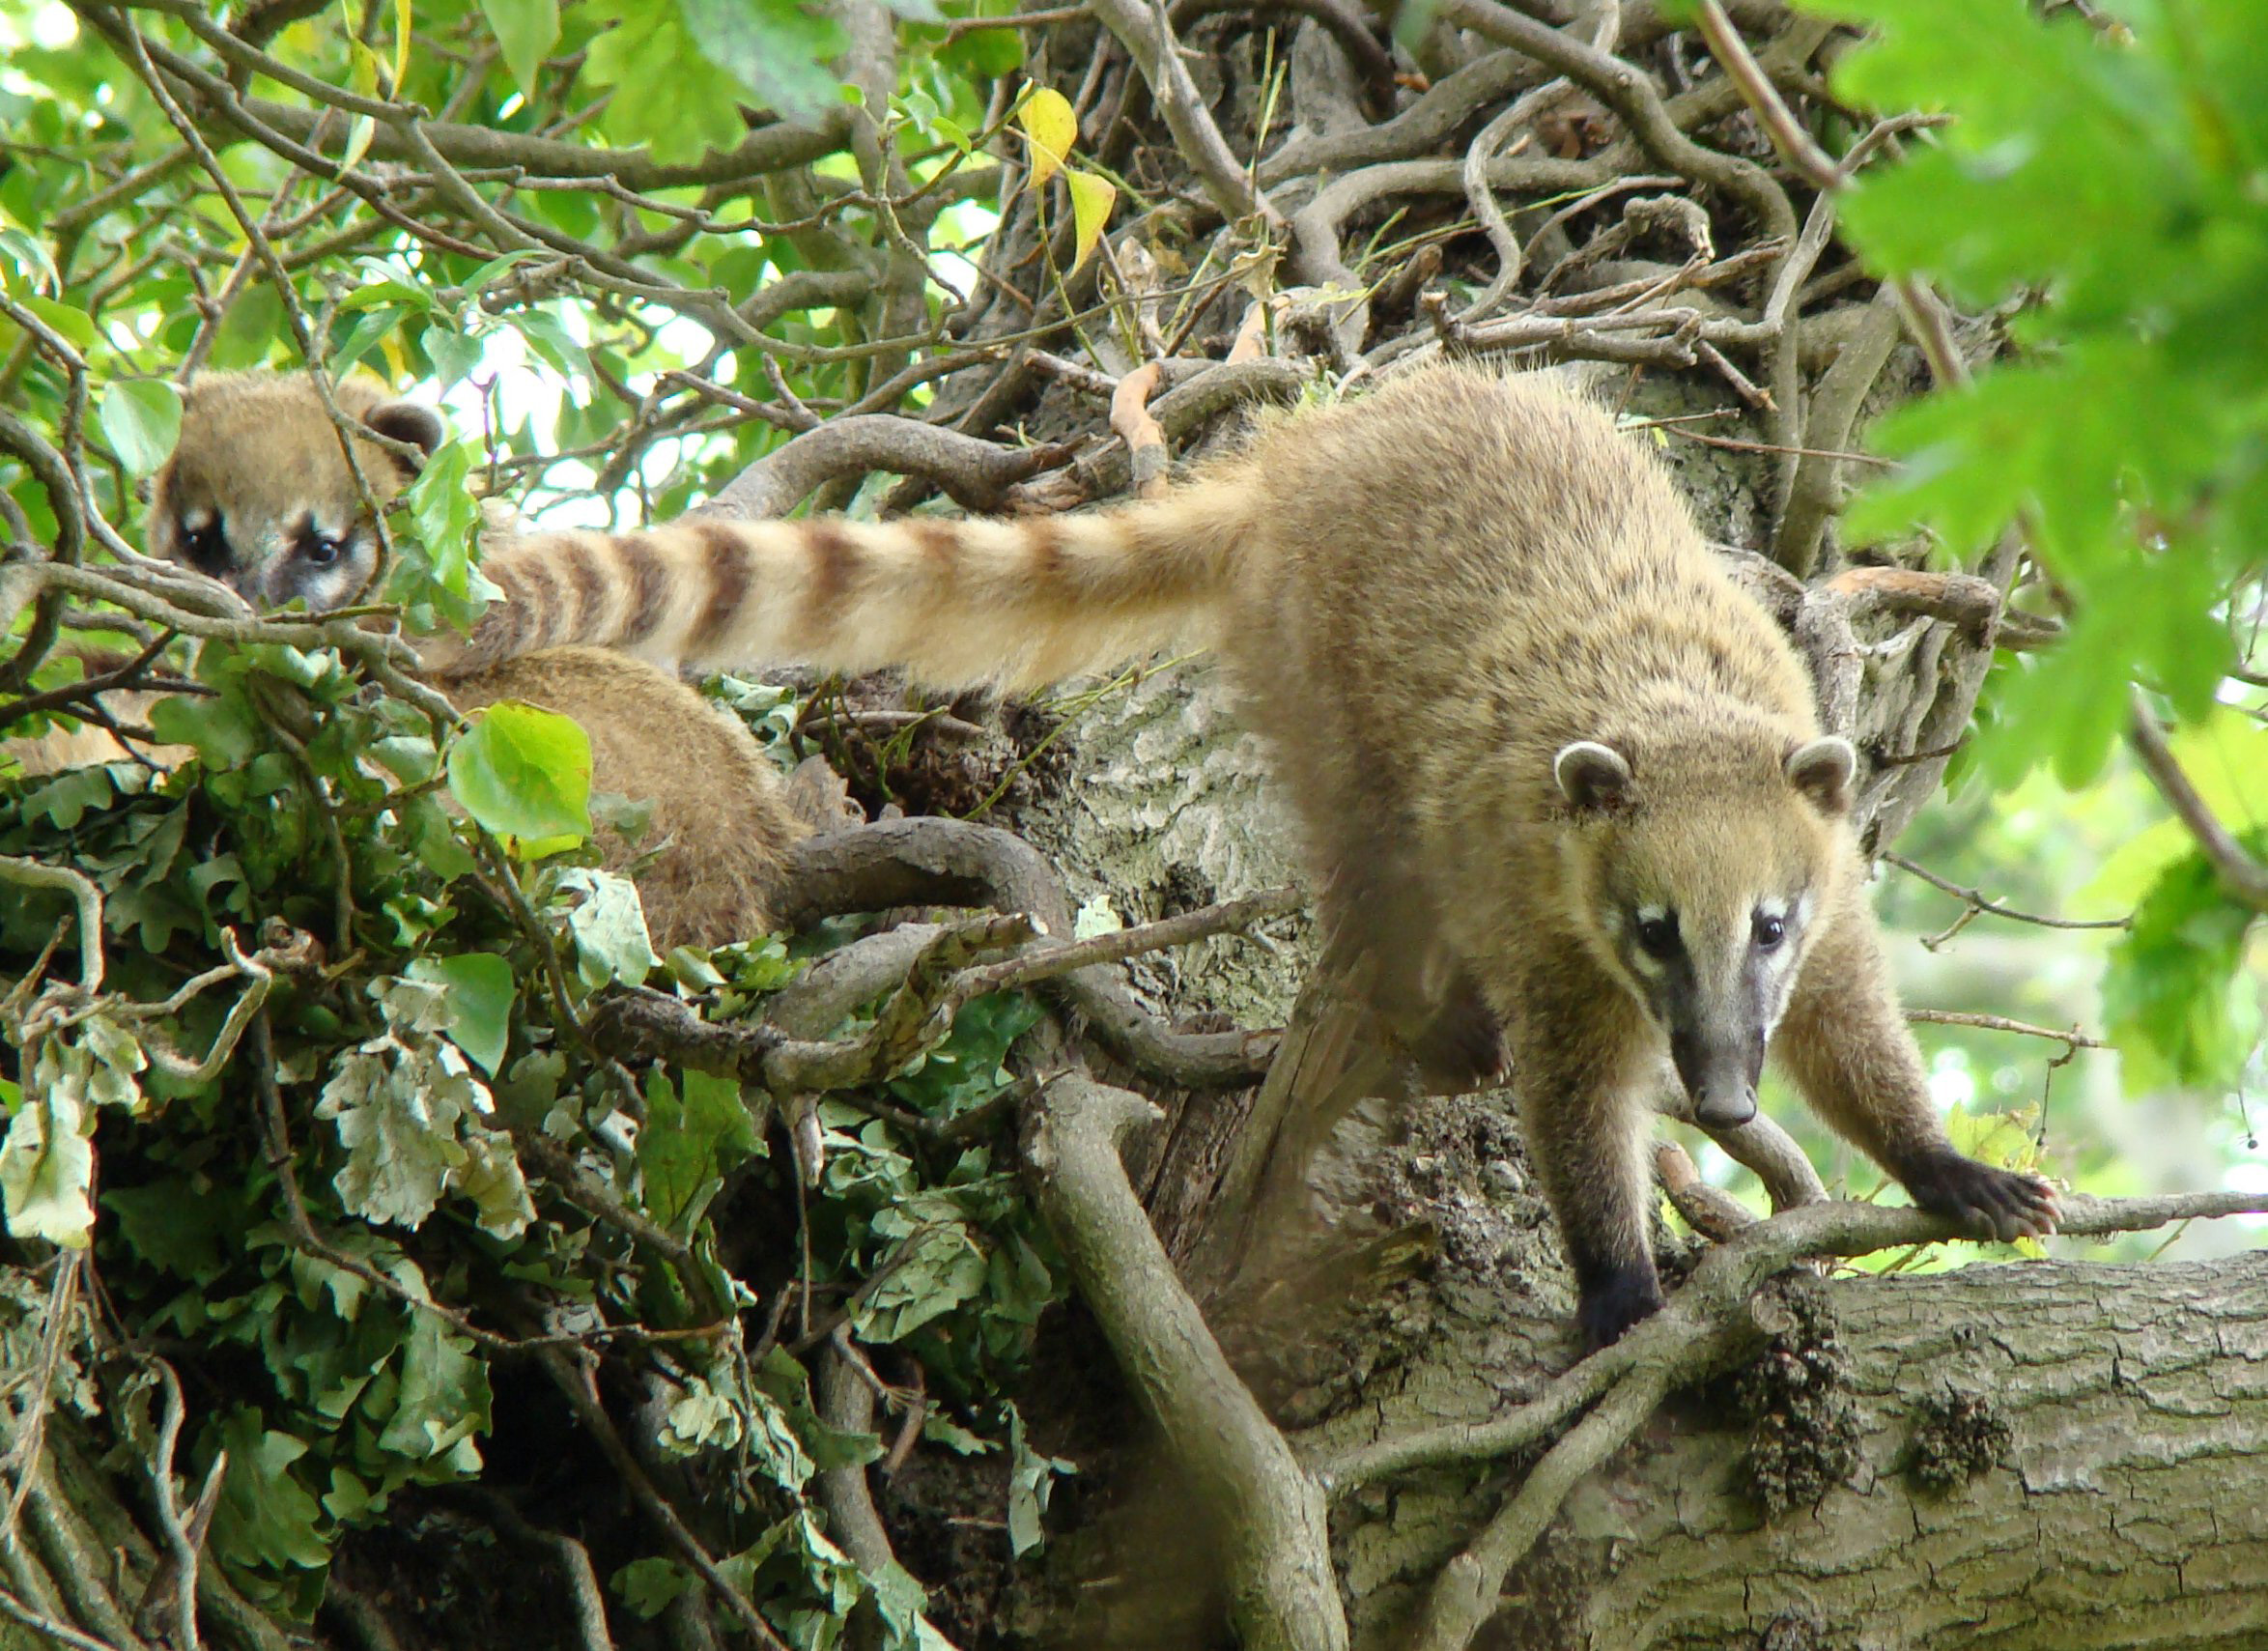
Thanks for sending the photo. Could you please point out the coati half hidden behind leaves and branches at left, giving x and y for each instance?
(257, 493)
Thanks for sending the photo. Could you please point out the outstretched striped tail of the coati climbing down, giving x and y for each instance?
(954, 602)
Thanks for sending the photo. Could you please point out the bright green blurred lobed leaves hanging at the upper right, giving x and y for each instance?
(2101, 187)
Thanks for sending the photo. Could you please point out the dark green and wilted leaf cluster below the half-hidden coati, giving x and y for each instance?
(357, 1364)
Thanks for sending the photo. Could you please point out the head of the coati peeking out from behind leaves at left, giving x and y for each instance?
(260, 496)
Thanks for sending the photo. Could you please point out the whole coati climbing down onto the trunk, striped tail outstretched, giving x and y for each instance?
(1552, 765)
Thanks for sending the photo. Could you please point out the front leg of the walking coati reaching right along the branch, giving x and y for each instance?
(1850, 1051)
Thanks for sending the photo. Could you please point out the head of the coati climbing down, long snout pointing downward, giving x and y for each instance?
(1700, 892)
